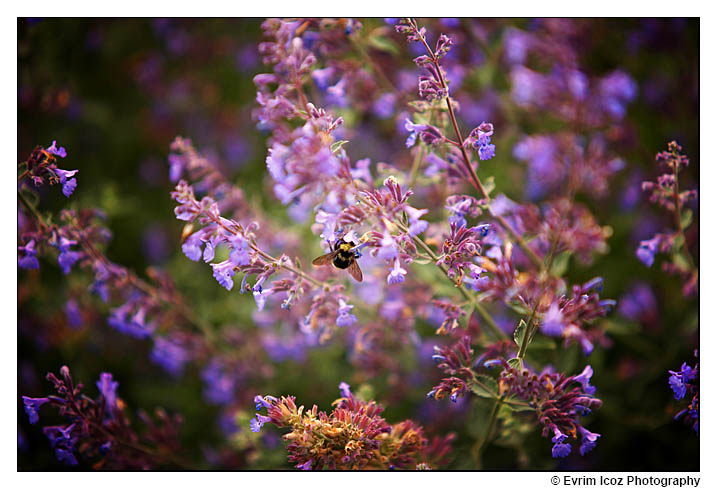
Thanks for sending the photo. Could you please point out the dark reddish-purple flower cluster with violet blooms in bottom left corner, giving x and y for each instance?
(100, 430)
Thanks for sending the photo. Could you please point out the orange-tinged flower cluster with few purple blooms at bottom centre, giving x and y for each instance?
(353, 436)
